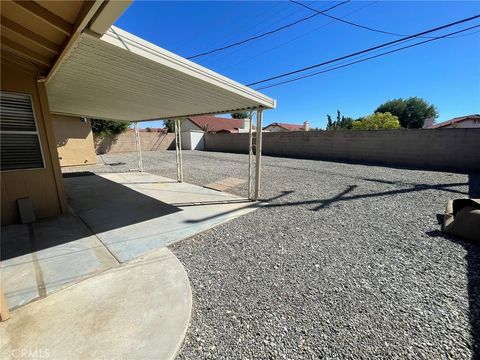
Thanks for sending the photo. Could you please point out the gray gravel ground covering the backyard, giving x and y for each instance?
(346, 261)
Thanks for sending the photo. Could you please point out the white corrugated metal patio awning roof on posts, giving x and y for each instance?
(122, 77)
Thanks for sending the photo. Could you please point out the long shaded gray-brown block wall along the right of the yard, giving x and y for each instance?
(436, 149)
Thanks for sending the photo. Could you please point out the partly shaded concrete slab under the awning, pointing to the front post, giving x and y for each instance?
(134, 213)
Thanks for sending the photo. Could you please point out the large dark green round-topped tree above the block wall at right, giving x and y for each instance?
(411, 112)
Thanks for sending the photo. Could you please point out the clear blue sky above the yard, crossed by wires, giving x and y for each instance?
(445, 72)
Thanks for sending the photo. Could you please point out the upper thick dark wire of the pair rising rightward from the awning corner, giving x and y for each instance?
(365, 50)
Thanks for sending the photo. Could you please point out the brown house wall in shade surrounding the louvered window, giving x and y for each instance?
(44, 186)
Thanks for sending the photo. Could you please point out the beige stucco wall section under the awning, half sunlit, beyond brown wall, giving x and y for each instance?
(74, 140)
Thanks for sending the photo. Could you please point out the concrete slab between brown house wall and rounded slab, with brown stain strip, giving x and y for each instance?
(47, 255)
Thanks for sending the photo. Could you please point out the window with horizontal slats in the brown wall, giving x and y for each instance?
(19, 140)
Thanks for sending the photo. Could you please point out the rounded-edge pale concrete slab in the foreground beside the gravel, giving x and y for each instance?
(140, 310)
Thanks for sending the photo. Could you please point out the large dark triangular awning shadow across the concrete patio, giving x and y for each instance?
(96, 201)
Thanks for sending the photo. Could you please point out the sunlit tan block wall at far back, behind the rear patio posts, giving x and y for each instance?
(150, 141)
